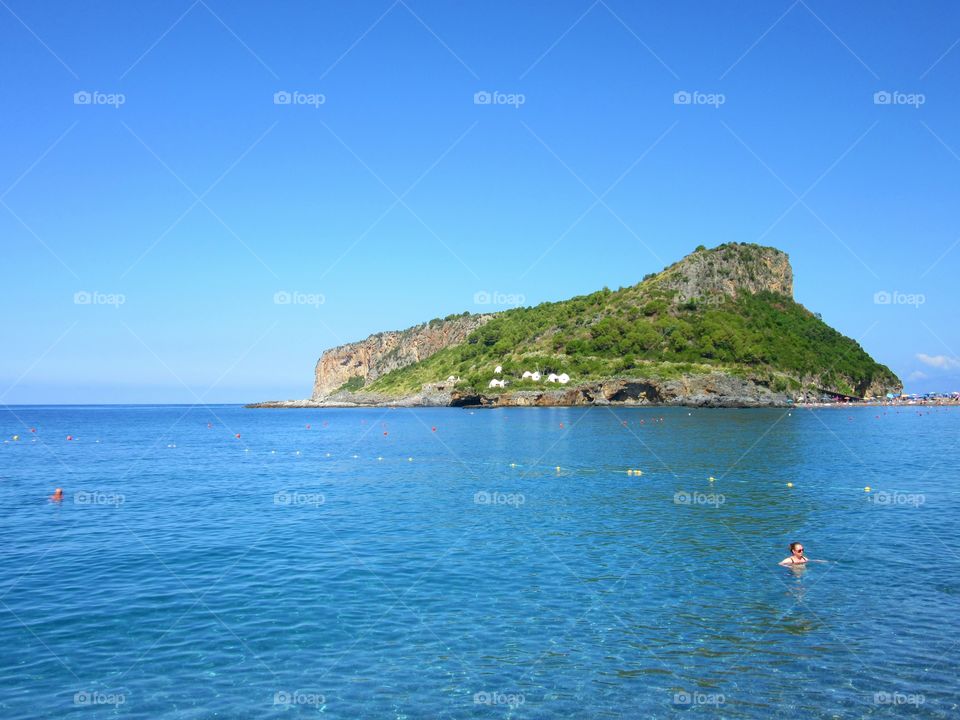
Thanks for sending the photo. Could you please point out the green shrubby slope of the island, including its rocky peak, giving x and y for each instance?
(659, 329)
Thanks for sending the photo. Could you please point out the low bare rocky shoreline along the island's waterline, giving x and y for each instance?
(709, 390)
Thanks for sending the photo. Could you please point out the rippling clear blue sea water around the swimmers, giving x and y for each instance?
(373, 566)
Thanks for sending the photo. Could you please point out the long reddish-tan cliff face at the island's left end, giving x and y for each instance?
(381, 353)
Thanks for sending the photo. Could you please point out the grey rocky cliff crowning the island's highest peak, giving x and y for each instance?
(727, 270)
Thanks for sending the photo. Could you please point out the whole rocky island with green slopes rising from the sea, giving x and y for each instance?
(718, 328)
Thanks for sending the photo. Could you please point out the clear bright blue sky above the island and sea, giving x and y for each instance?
(147, 233)
